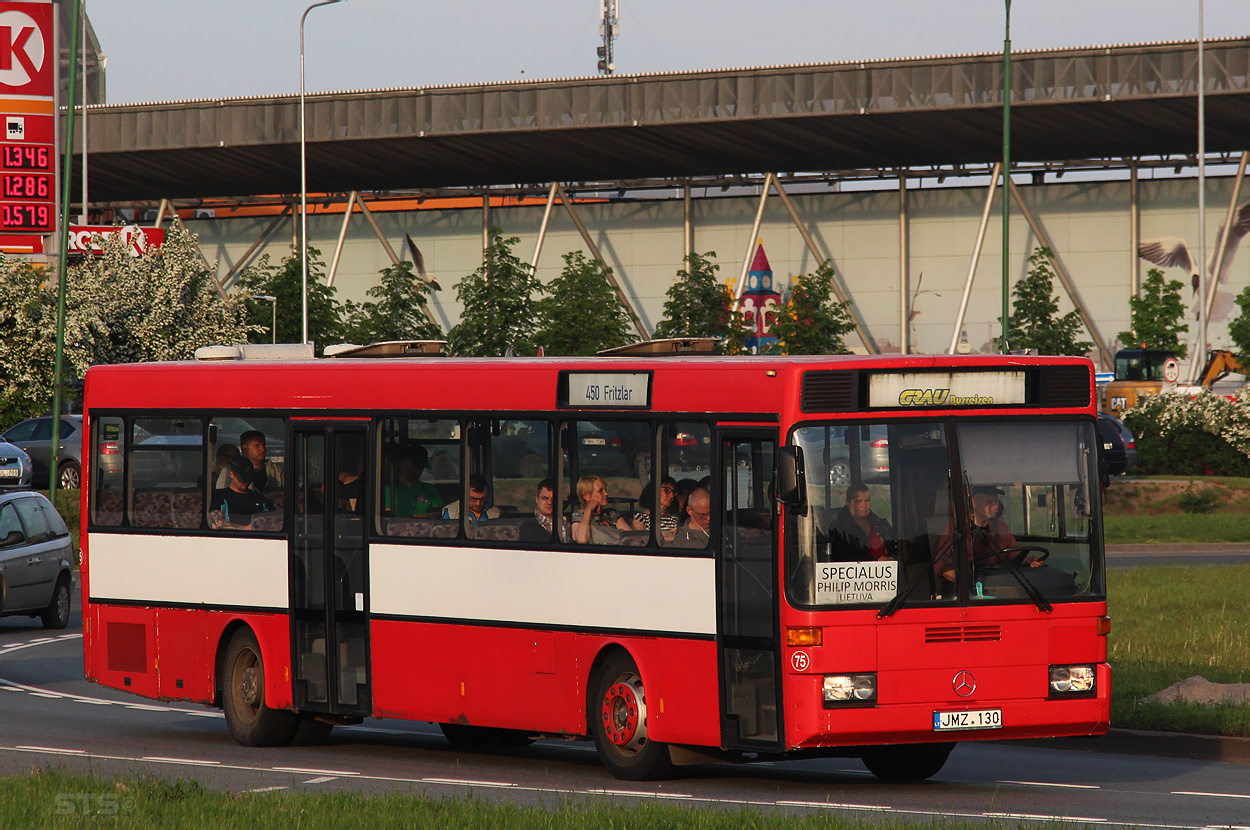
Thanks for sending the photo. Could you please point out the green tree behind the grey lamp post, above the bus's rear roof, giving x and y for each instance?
(286, 282)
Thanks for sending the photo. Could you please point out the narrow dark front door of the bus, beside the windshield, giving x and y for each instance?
(747, 592)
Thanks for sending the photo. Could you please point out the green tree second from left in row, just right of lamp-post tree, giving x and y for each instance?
(399, 313)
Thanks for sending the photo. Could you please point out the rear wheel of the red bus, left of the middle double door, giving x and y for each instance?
(243, 697)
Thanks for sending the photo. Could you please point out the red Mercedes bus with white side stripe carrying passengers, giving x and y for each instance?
(682, 558)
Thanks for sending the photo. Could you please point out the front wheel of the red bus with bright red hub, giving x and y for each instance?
(617, 711)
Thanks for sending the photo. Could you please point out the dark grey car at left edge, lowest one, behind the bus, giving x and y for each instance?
(37, 559)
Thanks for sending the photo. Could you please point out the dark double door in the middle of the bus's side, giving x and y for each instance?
(329, 572)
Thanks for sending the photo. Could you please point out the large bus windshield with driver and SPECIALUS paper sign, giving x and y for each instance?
(946, 512)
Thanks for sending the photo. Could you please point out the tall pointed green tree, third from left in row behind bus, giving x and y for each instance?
(498, 303)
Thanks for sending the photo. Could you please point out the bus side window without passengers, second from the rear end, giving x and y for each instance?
(166, 466)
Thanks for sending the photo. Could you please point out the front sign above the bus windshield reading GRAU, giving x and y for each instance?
(943, 389)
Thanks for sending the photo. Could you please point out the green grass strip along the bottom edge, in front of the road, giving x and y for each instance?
(56, 799)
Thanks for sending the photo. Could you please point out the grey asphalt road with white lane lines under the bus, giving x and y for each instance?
(51, 717)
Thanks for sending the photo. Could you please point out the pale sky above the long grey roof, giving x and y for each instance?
(162, 51)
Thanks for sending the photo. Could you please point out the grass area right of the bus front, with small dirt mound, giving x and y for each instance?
(1172, 623)
